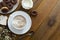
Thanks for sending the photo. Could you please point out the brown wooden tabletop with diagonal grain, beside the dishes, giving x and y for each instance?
(46, 25)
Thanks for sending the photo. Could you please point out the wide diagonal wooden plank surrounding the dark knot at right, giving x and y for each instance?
(45, 31)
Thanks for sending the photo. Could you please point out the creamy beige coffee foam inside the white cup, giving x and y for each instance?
(19, 22)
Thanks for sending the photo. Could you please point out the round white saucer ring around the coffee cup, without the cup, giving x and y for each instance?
(27, 26)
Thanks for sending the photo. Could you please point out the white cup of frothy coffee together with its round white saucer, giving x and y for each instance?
(19, 22)
